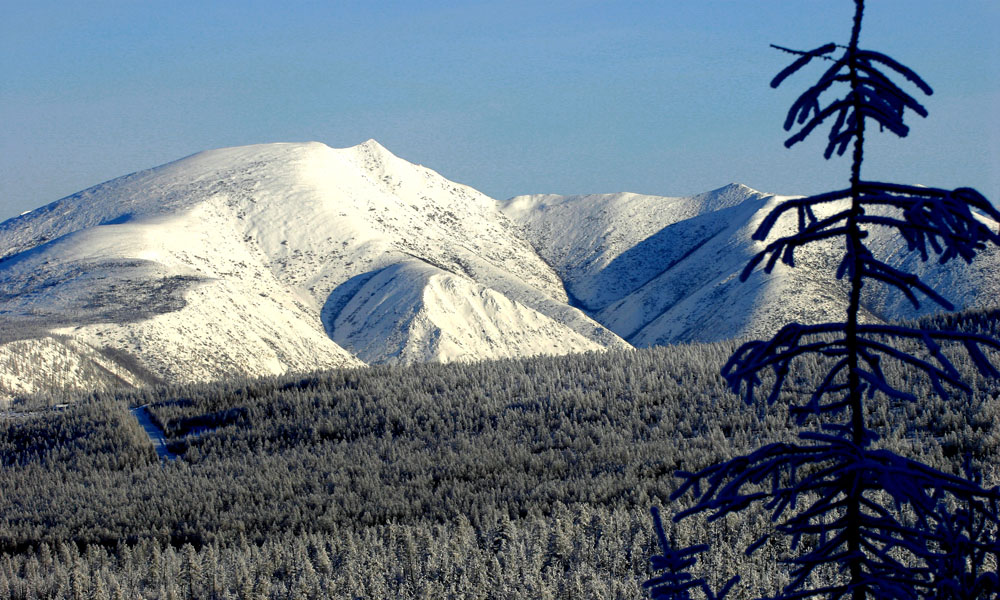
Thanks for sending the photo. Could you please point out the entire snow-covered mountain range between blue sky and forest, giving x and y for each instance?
(290, 257)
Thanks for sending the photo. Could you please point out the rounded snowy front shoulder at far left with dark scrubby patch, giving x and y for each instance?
(181, 294)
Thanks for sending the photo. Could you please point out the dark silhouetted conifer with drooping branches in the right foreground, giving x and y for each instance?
(862, 522)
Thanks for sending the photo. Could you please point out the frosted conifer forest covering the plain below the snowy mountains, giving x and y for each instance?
(506, 479)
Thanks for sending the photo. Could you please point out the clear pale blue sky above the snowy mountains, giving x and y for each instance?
(666, 97)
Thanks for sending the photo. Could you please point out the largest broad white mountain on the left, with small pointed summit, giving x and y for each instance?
(242, 261)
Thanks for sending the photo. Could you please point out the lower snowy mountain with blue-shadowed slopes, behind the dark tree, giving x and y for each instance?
(659, 270)
